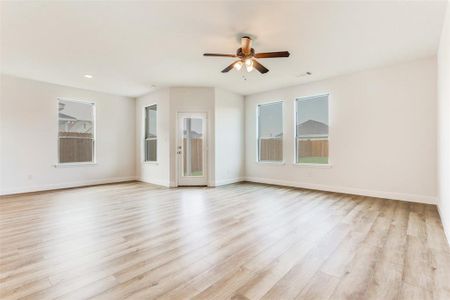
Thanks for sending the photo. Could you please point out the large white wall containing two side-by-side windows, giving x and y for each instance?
(382, 134)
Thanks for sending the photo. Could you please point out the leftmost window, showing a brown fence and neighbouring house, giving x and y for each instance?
(76, 131)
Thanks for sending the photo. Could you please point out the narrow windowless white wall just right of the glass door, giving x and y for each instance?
(229, 136)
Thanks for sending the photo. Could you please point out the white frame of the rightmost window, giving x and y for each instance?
(315, 165)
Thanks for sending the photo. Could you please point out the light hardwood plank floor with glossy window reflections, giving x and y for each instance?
(242, 241)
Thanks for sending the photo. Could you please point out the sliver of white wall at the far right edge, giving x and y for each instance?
(444, 124)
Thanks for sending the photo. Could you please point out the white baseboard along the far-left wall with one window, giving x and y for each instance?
(57, 186)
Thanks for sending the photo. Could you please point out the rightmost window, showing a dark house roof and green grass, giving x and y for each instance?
(312, 130)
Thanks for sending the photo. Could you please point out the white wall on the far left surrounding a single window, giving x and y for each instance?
(28, 137)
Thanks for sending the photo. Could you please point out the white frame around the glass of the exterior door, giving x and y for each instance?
(179, 169)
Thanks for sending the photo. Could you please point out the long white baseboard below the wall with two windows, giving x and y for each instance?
(348, 190)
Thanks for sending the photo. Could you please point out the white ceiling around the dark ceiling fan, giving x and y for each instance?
(131, 46)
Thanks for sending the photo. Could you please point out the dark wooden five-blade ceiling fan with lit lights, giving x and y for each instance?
(246, 56)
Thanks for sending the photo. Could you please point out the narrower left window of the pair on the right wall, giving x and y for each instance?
(270, 132)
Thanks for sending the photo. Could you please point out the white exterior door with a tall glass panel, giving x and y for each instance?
(191, 149)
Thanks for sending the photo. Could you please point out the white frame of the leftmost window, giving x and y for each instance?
(94, 133)
